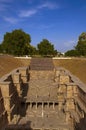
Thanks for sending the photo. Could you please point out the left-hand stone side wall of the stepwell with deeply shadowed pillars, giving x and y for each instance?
(11, 89)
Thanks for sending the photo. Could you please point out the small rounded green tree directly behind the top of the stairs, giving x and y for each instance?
(45, 48)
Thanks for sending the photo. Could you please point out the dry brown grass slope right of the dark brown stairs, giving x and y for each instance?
(76, 66)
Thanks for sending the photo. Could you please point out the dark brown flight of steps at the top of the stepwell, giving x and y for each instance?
(41, 64)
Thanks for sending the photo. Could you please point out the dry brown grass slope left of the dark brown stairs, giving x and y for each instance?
(8, 63)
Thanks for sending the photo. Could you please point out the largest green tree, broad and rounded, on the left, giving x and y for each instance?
(16, 43)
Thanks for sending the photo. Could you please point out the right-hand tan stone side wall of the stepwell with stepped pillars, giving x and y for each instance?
(74, 92)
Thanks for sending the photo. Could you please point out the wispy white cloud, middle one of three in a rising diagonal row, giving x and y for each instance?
(27, 13)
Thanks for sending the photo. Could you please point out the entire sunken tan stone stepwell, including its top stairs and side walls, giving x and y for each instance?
(42, 97)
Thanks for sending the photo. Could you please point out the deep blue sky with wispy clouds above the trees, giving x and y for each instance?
(59, 21)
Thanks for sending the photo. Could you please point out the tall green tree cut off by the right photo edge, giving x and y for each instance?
(81, 45)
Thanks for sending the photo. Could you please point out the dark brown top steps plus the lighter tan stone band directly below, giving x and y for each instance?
(41, 68)
